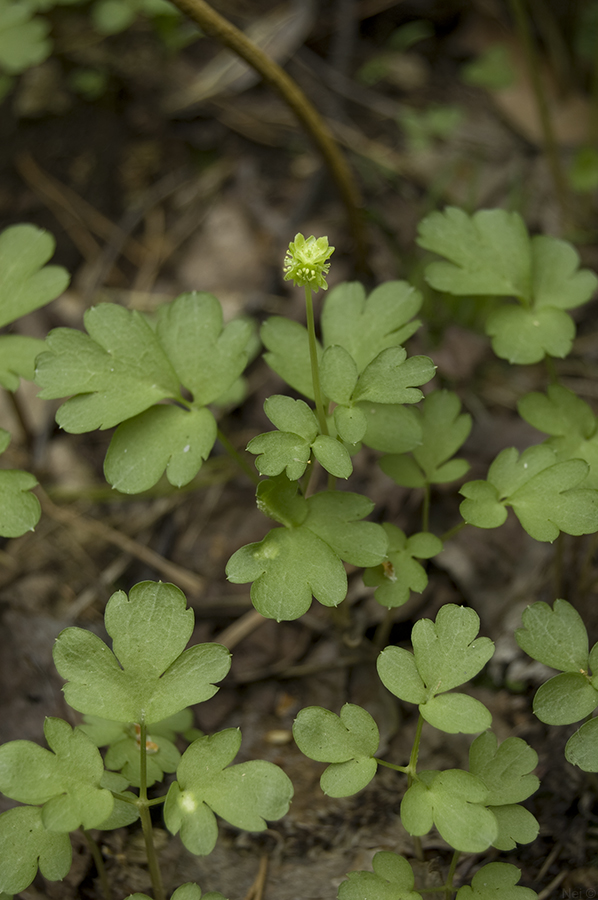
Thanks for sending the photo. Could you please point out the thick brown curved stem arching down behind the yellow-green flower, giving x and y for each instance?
(223, 31)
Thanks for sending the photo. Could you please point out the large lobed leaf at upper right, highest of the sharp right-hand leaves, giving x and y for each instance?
(491, 253)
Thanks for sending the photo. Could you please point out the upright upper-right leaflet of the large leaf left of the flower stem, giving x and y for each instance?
(207, 356)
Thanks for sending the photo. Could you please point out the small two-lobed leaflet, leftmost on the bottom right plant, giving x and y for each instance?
(348, 742)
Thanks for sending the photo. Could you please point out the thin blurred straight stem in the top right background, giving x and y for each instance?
(550, 146)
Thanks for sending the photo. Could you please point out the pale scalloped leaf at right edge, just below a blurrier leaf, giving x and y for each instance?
(546, 495)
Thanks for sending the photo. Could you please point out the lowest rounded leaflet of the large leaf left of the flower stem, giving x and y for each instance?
(163, 438)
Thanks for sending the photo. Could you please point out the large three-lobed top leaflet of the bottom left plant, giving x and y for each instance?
(148, 675)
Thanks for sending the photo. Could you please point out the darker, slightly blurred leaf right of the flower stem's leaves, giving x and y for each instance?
(444, 430)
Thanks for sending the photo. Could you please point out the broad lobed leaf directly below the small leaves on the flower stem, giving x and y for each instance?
(305, 557)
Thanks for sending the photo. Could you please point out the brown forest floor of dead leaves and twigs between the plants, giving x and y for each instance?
(151, 191)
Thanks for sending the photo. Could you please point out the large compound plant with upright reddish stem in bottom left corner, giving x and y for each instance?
(134, 698)
